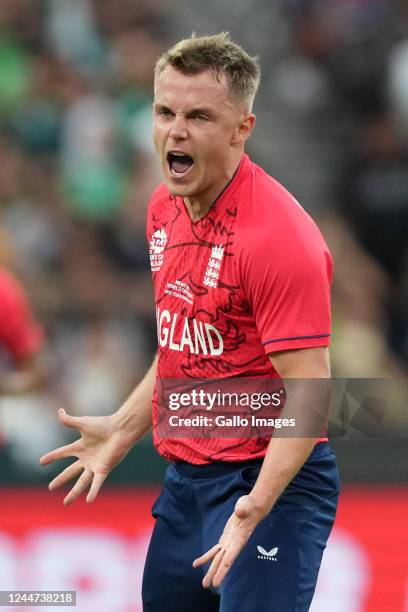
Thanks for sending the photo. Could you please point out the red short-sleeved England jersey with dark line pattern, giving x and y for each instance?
(250, 278)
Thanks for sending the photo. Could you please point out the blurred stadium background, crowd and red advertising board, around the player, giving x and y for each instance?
(76, 171)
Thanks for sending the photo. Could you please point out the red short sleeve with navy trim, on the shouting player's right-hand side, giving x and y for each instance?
(287, 280)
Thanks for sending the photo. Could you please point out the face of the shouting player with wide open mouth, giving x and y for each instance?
(199, 132)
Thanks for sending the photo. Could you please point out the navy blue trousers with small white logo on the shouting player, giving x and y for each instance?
(278, 568)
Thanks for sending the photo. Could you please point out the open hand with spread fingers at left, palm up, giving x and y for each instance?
(99, 449)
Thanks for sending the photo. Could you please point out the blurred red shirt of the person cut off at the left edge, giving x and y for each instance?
(19, 331)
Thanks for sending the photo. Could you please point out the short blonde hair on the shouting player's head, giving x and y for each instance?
(220, 55)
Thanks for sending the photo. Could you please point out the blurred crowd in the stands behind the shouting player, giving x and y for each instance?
(77, 167)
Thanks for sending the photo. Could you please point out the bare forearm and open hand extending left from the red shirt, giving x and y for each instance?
(104, 441)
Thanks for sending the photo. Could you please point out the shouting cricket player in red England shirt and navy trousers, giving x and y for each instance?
(242, 278)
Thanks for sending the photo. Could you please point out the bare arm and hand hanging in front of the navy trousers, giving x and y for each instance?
(284, 457)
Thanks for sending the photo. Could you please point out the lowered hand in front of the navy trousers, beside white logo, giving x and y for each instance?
(236, 534)
